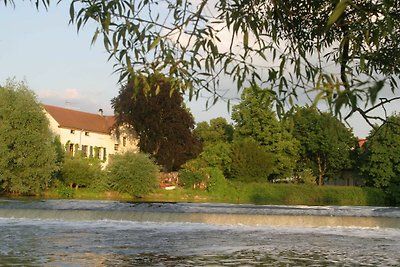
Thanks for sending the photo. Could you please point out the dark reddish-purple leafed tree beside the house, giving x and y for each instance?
(162, 122)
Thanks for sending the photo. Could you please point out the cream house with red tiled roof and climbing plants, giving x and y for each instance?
(92, 134)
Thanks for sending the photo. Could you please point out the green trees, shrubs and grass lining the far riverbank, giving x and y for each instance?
(259, 159)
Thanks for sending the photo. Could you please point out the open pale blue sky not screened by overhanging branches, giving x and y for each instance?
(64, 69)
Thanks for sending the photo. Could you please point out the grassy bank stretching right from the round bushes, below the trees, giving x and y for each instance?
(276, 194)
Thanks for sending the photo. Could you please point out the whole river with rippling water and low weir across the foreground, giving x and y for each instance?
(109, 233)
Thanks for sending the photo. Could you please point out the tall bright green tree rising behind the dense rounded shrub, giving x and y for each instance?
(255, 118)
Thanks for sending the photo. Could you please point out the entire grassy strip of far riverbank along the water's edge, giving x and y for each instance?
(240, 193)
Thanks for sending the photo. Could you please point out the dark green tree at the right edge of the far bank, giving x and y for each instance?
(381, 161)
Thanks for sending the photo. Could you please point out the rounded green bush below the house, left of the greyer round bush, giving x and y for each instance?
(81, 171)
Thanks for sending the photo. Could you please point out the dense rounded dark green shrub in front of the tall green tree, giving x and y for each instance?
(251, 162)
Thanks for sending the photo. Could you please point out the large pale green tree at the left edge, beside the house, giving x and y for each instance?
(27, 156)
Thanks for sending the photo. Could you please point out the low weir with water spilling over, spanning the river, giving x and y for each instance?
(209, 213)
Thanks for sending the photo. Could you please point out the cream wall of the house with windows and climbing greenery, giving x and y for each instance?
(107, 144)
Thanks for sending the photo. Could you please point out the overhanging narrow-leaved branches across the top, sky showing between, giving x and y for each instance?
(342, 52)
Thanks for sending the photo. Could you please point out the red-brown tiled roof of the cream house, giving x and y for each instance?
(78, 120)
